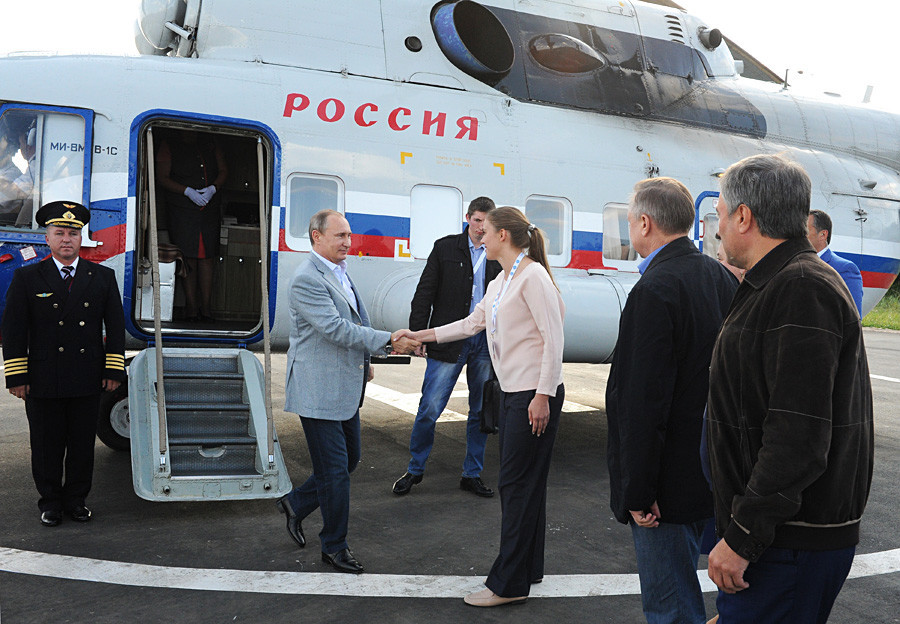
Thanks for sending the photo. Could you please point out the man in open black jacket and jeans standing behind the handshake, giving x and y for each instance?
(451, 285)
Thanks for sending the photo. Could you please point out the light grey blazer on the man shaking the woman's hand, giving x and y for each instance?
(329, 348)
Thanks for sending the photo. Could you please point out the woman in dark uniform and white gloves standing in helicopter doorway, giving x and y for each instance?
(191, 168)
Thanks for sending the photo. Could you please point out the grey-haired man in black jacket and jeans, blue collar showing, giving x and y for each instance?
(655, 396)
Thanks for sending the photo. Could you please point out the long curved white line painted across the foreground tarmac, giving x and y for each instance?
(333, 584)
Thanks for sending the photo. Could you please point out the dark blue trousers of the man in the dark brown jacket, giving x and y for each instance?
(796, 586)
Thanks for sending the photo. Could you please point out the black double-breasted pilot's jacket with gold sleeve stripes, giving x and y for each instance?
(53, 337)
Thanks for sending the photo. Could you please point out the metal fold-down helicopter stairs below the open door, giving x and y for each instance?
(212, 440)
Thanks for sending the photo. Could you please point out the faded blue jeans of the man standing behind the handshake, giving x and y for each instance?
(440, 377)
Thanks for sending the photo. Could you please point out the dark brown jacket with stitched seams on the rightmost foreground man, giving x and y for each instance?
(790, 409)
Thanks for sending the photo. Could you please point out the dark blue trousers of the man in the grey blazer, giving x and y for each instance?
(334, 449)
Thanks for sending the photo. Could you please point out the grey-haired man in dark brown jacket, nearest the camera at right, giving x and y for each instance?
(790, 409)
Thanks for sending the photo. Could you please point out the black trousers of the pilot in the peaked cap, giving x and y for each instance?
(62, 433)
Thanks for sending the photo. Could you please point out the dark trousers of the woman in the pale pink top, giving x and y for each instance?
(524, 465)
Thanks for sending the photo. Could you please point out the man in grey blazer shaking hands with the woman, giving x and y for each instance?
(327, 367)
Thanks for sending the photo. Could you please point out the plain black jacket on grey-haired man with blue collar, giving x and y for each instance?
(657, 386)
